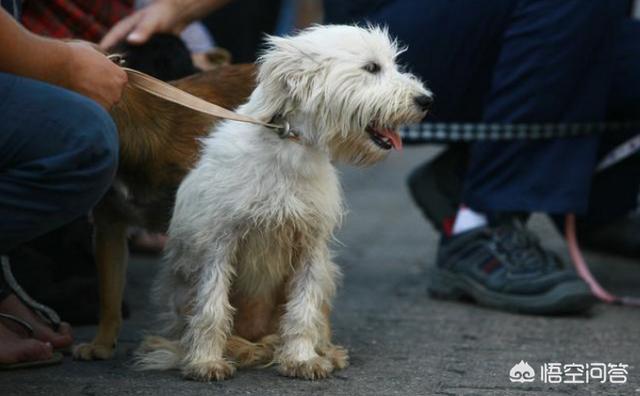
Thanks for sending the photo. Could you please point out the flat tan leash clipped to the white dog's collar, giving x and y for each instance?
(168, 92)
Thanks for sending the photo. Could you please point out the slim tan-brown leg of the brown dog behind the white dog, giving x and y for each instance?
(111, 259)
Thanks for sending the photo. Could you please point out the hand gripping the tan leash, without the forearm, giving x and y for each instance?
(90, 73)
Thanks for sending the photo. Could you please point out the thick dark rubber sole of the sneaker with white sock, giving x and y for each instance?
(566, 298)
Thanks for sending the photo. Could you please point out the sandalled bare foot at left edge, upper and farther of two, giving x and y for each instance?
(41, 330)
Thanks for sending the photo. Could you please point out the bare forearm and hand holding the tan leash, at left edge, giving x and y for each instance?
(72, 65)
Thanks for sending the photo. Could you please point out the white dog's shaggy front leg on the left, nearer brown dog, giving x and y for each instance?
(210, 321)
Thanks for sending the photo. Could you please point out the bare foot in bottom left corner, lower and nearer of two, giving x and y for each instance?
(15, 349)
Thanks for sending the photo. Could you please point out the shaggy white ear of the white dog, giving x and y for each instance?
(286, 73)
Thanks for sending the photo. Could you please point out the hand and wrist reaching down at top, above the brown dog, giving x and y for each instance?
(161, 16)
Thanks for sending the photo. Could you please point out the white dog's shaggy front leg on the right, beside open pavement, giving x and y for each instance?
(304, 320)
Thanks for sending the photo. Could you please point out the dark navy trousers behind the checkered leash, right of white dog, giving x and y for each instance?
(512, 61)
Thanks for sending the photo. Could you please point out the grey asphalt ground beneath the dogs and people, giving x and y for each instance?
(401, 342)
